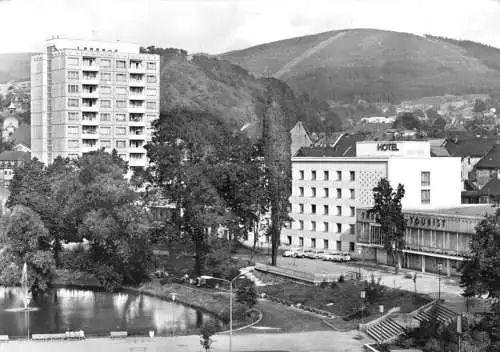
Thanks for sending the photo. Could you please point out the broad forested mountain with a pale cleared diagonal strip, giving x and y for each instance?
(375, 65)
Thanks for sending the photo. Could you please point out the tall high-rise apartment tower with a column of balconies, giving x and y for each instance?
(87, 95)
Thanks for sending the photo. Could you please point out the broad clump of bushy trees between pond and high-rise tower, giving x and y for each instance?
(88, 198)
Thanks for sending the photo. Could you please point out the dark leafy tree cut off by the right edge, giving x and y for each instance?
(479, 273)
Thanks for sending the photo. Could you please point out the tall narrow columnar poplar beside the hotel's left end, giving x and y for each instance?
(278, 166)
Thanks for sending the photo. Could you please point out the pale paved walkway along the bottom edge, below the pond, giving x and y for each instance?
(295, 342)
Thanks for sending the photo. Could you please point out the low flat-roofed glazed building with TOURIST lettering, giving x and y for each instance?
(432, 237)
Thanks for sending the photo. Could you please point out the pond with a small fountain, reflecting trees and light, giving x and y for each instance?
(94, 312)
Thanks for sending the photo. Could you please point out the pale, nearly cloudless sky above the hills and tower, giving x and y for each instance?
(217, 26)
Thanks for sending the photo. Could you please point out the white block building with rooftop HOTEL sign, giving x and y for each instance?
(326, 191)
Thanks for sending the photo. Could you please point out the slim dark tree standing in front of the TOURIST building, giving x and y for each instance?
(388, 210)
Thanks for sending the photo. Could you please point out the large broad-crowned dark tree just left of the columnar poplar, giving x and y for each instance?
(208, 172)
